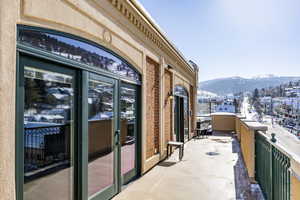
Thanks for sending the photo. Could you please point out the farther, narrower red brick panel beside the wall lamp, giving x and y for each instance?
(168, 85)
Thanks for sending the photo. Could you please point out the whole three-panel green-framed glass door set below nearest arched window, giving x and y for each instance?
(77, 132)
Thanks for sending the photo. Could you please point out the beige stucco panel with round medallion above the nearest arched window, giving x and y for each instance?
(88, 25)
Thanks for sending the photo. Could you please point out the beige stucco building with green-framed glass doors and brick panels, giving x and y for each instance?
(90, 89)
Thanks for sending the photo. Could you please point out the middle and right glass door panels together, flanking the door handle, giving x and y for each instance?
(112, 135)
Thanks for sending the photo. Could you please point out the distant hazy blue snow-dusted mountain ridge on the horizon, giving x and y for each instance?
(231, 85)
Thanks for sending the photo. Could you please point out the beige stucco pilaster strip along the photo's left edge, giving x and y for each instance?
(8, 18)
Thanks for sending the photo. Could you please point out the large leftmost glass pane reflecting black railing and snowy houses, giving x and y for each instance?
(48, 134)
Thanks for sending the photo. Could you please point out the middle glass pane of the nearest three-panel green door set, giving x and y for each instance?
(101, 135)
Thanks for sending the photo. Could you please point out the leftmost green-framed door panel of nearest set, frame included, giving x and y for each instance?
(47, 130)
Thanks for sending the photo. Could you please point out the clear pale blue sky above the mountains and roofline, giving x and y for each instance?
(233, 37)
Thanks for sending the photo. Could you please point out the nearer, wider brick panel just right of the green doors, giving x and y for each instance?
(152, 107)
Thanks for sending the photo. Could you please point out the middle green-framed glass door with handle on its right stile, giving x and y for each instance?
(102, 137)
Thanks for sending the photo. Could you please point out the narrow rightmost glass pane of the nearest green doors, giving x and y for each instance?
(128, 127)
